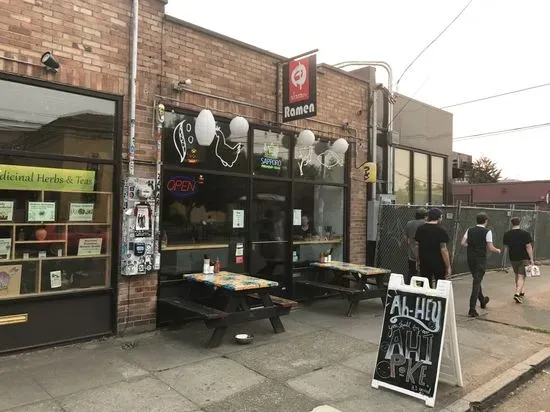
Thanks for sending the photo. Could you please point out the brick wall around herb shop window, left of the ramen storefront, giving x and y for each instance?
(91, 41)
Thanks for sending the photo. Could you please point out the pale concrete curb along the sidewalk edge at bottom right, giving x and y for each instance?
(490, 393)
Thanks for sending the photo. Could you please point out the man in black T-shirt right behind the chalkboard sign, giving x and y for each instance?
(432, 254)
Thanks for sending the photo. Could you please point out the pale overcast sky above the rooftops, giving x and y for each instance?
(496, 46)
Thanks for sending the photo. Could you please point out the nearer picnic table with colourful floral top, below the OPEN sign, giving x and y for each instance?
(240, 290)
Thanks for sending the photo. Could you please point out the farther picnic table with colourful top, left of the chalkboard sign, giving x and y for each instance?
(360, 274)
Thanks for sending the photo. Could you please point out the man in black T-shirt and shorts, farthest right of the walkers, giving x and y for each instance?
(520, 250)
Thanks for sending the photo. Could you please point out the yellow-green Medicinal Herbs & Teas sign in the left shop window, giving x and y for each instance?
(45, 178)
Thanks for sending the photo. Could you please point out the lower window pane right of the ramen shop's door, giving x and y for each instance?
(317, 222)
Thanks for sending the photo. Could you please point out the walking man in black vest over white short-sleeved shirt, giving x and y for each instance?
(478, 240)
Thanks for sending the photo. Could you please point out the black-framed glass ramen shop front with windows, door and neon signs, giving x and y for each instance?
(259, 203)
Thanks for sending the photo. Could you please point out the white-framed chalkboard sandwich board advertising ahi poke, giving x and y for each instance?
(418, 343)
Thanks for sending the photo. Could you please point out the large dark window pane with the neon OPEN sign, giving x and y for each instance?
(202, 215)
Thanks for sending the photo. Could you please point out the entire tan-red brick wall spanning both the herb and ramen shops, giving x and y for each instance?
(91, 40)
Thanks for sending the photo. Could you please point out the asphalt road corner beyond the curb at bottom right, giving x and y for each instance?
(534, 396)
